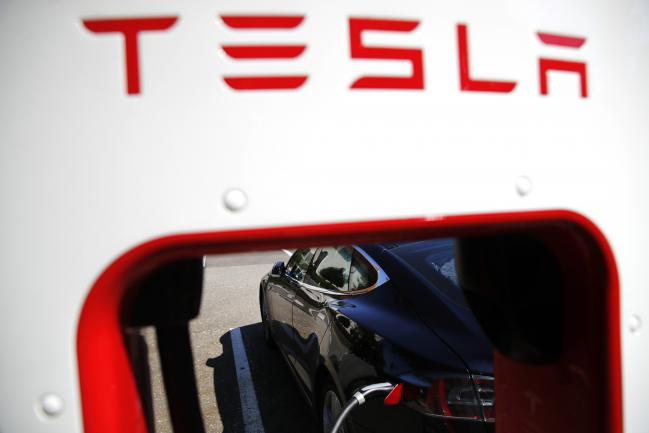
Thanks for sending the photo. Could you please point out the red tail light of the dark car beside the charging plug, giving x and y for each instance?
(458, 398)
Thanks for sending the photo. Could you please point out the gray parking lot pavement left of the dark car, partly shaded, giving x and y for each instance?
(230, 300)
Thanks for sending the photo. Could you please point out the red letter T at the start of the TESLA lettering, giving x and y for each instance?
(129, 28)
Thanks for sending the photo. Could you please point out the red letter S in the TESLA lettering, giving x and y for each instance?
(359, 51)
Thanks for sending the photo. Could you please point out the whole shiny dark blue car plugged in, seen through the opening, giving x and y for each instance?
(348, 316)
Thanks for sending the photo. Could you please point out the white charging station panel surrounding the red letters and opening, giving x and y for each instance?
(88, 172)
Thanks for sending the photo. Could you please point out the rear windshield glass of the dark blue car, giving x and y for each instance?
(434, 260)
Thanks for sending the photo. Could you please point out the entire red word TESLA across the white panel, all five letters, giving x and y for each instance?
(131, 28)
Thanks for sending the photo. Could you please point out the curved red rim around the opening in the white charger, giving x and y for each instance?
(109, 398)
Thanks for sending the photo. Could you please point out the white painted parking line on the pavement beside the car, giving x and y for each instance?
(249, 406)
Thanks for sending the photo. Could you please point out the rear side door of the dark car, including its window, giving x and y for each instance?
(327, 275)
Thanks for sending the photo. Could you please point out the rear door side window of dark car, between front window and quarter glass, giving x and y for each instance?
(330, 268)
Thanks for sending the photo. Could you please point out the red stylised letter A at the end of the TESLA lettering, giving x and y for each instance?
(546, 65)
